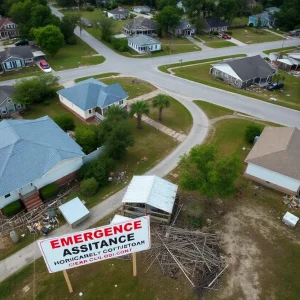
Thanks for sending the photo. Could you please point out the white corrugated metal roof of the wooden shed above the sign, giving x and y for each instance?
(153, 191)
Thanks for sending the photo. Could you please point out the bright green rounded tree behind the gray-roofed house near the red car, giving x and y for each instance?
(49, 38)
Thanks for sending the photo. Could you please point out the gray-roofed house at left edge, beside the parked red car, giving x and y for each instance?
(15, 58)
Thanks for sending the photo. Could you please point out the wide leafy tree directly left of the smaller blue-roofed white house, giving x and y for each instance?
(35, 90)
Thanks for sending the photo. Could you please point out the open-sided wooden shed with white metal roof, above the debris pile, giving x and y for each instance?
(150, 195)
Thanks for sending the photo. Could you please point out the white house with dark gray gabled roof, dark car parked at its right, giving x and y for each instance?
(243, 72)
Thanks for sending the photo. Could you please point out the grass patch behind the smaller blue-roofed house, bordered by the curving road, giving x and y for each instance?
(133, 87)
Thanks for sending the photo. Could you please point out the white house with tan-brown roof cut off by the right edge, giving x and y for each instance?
(274, 159)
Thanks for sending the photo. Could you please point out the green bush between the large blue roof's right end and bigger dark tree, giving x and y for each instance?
(86, 137)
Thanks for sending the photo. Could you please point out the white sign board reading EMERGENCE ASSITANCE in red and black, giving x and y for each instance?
(93, 245)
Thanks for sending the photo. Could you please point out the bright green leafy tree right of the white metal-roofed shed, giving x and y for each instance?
(205, 172)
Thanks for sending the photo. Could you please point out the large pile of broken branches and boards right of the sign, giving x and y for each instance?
(194, 254)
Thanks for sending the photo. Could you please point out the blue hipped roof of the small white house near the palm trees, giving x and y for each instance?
(92, 93)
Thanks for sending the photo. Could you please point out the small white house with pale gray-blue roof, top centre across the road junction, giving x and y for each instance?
(144, 44)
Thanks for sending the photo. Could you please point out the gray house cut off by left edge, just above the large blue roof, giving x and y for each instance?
(7, 106)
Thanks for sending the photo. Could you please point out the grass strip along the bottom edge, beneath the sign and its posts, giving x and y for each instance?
(110, 279)
